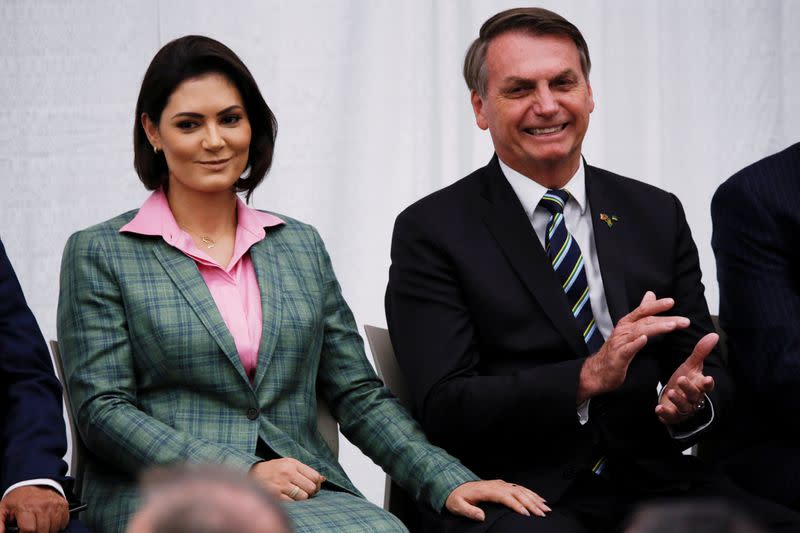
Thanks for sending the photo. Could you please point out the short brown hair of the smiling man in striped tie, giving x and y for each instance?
(531, 20)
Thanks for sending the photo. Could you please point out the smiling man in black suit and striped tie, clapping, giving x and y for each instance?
(536, 304)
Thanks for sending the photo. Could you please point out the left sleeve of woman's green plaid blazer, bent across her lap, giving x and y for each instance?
(98, 361)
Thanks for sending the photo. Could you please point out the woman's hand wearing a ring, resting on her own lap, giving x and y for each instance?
(287, 479)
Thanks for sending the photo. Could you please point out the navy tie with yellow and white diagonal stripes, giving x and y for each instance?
(567, 261)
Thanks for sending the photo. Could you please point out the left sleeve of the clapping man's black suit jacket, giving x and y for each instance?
(436, 342)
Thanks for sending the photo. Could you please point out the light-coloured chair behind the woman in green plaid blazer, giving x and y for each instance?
(325, 422)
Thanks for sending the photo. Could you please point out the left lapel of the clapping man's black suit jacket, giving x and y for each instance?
(509, 224)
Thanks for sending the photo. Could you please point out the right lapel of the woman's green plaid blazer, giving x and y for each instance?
(266, 260)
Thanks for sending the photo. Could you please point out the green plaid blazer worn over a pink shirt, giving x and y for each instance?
(155, 377)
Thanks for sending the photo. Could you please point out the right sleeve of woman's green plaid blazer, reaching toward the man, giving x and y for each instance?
(368, 415)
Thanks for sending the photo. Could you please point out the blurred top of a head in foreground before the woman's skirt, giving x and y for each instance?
(195, 499)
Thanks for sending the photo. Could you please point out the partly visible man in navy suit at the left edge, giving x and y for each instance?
(33, 480)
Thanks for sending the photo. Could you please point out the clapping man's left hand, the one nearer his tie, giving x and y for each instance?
(605, 371)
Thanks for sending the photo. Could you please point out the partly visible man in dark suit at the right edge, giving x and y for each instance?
(756, 229)
